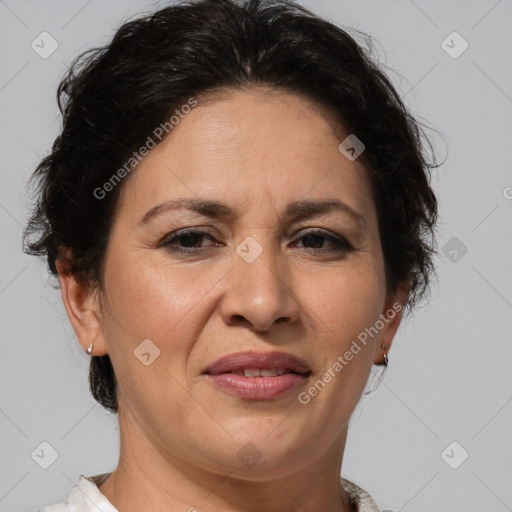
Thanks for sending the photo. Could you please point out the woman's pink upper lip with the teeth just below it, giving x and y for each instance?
(254, 364)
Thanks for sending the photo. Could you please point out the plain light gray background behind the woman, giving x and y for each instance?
(449, 377)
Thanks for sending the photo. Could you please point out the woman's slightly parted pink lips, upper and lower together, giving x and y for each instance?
(269, 375)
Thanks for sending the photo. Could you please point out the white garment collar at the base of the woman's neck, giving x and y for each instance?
(86, 497)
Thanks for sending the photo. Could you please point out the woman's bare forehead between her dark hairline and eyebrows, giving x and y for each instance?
(251, 146)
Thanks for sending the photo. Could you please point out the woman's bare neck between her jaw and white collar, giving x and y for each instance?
(147, 478)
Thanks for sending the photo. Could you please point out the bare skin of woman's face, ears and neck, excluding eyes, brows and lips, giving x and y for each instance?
(256, 151)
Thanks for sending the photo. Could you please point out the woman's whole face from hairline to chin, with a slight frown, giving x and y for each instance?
(260, 273)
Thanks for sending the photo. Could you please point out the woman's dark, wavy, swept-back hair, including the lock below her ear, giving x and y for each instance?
(113, 97)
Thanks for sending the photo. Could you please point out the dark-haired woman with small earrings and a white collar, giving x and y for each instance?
(238, 210)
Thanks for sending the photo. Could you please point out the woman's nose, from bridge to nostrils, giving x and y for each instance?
(260, 293)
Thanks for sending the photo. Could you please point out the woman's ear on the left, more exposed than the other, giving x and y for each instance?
(83, 308)
